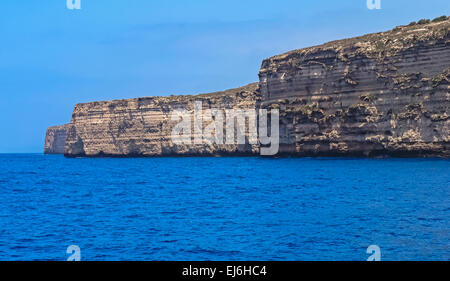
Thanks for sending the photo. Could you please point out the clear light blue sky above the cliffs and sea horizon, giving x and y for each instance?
(52, 58)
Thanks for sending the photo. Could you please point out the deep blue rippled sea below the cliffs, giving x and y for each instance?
(223, 208)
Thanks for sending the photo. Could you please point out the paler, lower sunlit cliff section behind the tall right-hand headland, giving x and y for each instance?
(143, 126)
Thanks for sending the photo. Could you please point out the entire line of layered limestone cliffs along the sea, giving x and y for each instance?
(381, 94)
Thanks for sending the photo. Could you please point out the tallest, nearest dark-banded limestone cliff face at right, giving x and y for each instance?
(380, 94)
